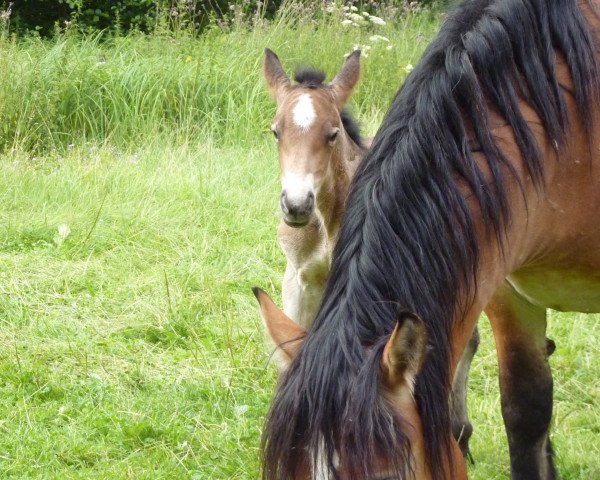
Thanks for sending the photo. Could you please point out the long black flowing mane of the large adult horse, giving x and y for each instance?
(407, 240)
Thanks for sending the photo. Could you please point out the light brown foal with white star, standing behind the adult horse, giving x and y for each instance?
(319, 147)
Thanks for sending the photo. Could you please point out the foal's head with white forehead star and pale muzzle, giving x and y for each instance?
(307, 129)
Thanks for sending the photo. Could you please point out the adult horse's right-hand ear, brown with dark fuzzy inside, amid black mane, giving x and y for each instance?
(405, 351)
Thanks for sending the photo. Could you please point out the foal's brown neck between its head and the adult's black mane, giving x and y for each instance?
(334, 190)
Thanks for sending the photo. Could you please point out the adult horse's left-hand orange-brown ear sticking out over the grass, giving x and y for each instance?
(285, 333)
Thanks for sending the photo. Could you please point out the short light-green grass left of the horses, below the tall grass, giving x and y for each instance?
(132, 348)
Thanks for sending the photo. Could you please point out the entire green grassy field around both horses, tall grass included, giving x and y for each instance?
(138, 205)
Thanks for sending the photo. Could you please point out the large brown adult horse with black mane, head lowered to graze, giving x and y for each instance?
(481, 191)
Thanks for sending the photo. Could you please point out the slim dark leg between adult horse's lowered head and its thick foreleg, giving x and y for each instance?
(461, 426)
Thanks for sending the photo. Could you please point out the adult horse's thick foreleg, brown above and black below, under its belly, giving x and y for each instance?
(525, 382)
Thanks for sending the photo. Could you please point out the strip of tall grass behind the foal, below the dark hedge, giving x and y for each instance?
(126, 90)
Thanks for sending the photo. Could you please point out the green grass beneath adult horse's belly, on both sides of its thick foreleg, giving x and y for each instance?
(576, 419)
